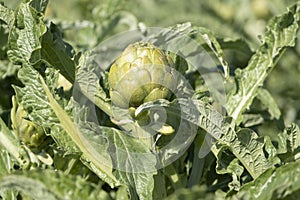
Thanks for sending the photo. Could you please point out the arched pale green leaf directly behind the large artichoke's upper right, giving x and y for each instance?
(179, 38)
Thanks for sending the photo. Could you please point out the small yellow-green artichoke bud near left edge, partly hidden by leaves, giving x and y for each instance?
(28, 132)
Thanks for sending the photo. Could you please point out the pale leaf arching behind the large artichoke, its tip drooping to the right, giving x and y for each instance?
(193, 44)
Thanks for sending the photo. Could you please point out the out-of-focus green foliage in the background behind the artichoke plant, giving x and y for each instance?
(85, 23)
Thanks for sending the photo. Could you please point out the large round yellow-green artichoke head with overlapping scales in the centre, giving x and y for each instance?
(141, 74)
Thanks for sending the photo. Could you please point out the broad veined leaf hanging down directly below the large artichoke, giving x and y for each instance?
(134, 171)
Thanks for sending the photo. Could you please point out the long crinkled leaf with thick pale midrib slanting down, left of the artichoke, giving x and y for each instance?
(44, 110)
